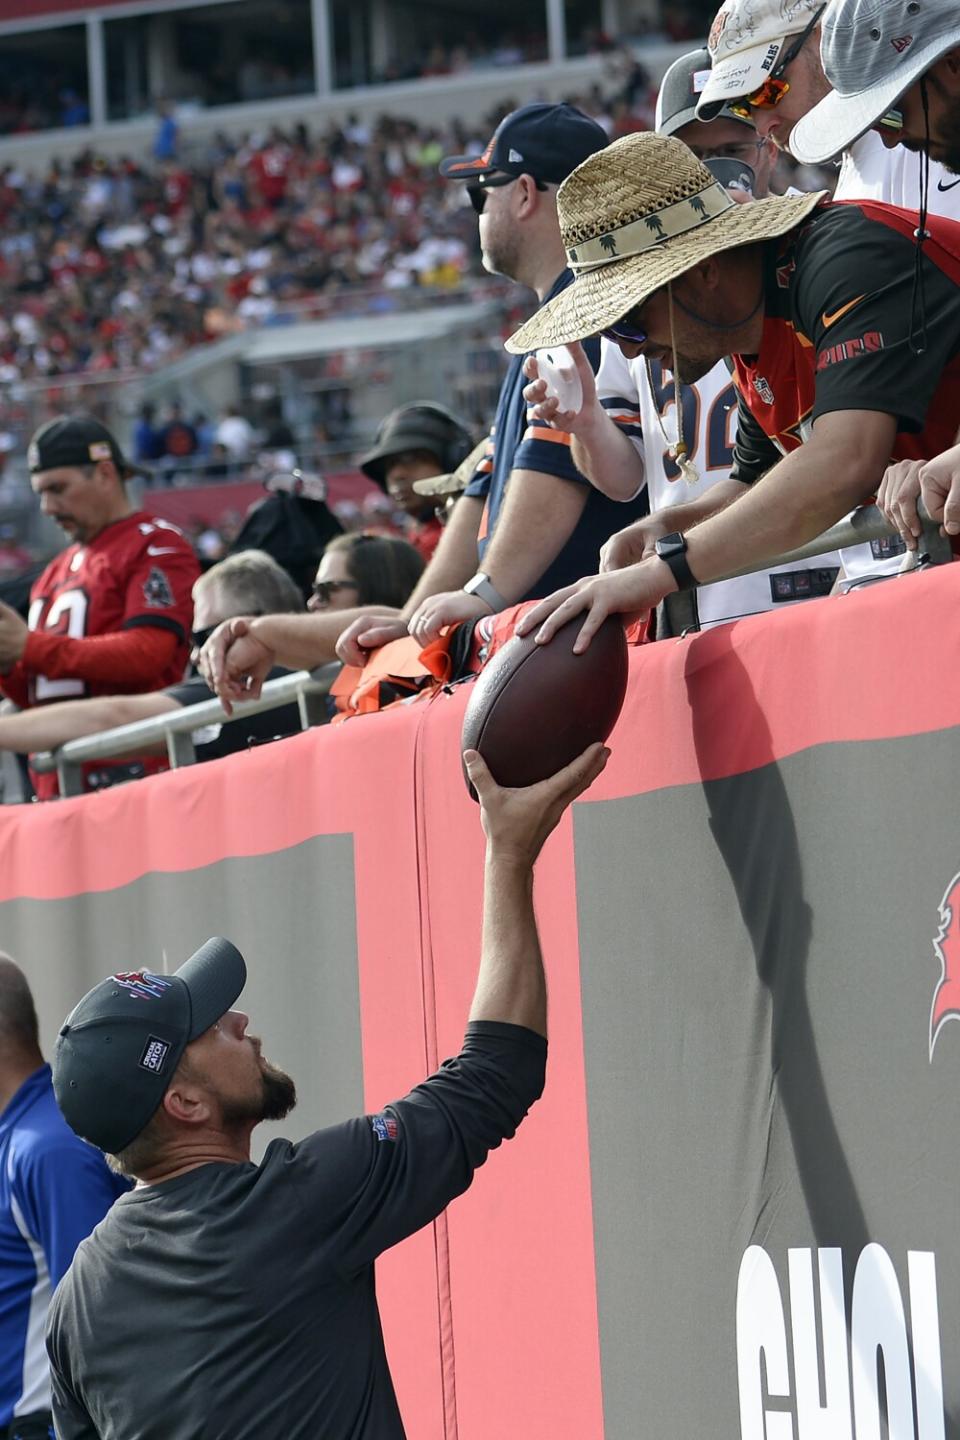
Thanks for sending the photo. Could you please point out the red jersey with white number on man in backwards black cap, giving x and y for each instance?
(139, 571)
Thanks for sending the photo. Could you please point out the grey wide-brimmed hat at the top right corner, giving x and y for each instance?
(873, 51)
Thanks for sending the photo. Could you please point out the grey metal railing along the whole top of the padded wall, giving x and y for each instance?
(310, 689)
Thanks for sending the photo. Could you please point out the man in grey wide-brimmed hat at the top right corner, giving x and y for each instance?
(896, 70)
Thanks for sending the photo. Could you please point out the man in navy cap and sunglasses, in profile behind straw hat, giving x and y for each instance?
(527, 516)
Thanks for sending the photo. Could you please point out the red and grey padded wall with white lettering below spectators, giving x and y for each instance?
(735, 1210)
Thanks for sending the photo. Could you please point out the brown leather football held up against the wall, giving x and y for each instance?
(538, 708)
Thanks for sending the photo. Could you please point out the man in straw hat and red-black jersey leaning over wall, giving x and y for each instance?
(834, 365)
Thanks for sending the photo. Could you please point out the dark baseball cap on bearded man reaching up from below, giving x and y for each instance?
(119, 1049)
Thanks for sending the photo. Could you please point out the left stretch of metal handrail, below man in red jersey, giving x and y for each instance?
(309, 689)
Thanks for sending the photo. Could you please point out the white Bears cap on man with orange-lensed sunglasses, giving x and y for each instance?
(746, 42)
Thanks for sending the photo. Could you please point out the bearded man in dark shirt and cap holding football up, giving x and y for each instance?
(224, 1298)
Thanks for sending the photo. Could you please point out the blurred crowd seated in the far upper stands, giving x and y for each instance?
(117, 266)
